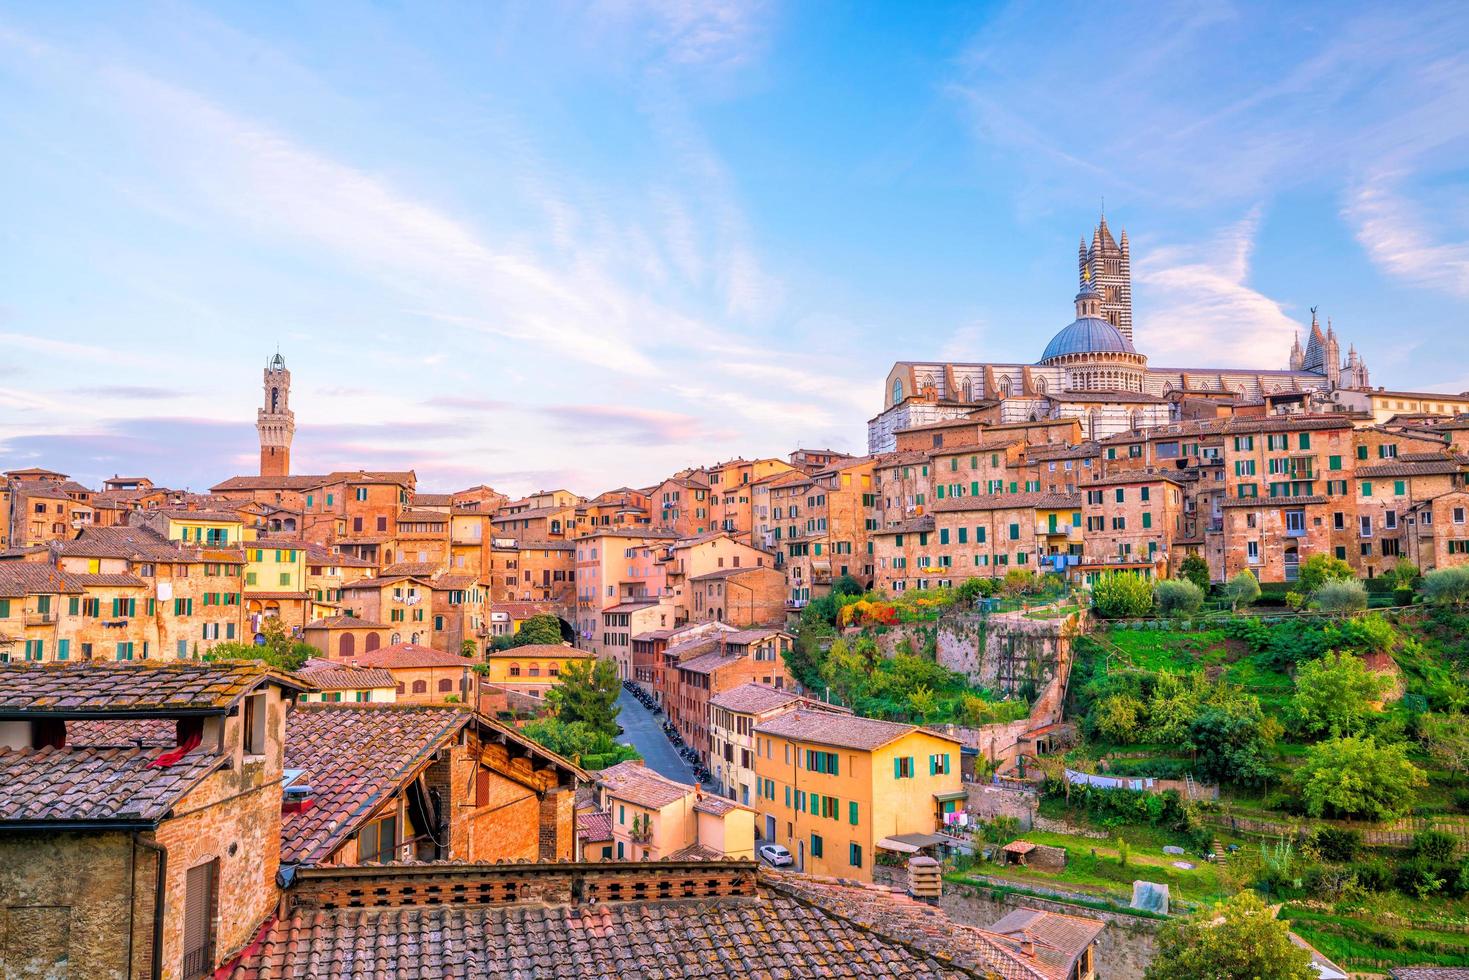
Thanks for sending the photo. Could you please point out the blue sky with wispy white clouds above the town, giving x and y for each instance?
(544, 245)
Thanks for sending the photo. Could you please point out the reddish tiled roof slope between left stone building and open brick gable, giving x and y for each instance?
(355, 756)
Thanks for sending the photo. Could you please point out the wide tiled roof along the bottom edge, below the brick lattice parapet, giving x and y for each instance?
(793, 929)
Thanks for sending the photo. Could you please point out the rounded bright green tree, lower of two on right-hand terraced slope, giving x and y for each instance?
(1358, 778)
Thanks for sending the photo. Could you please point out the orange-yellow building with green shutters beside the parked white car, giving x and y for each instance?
(834, 790)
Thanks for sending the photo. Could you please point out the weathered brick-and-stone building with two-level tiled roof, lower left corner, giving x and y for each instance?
(140, 835)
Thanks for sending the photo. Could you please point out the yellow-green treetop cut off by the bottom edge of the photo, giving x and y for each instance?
(1235, 941)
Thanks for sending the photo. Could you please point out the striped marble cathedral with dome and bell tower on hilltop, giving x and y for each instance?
(1091, 371)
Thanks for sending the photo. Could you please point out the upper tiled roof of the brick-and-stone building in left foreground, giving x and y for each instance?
(101, 688)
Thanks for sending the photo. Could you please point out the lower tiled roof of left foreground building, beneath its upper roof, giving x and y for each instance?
(95, 784)
